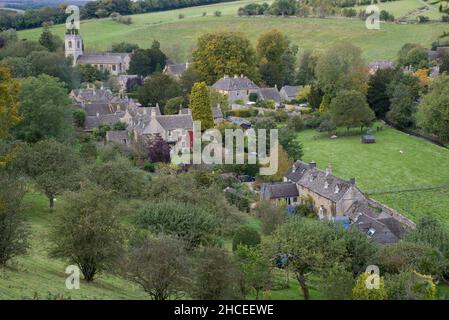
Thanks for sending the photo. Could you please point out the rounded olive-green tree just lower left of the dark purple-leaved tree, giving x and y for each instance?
(118, 177)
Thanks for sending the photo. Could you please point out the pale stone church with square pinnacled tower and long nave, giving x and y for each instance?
(114, 63)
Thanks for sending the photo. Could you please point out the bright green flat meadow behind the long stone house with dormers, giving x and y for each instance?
(382, 167)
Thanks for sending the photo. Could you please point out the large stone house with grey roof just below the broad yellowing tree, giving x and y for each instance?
(236, 88)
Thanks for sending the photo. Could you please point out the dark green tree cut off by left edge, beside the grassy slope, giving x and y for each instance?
(13, 229)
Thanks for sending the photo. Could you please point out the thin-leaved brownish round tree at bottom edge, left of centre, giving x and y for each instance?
(159, 266)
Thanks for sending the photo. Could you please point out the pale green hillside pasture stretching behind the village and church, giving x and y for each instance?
(178, 36)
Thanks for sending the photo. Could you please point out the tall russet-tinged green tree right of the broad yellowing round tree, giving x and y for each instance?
(274, 53)
